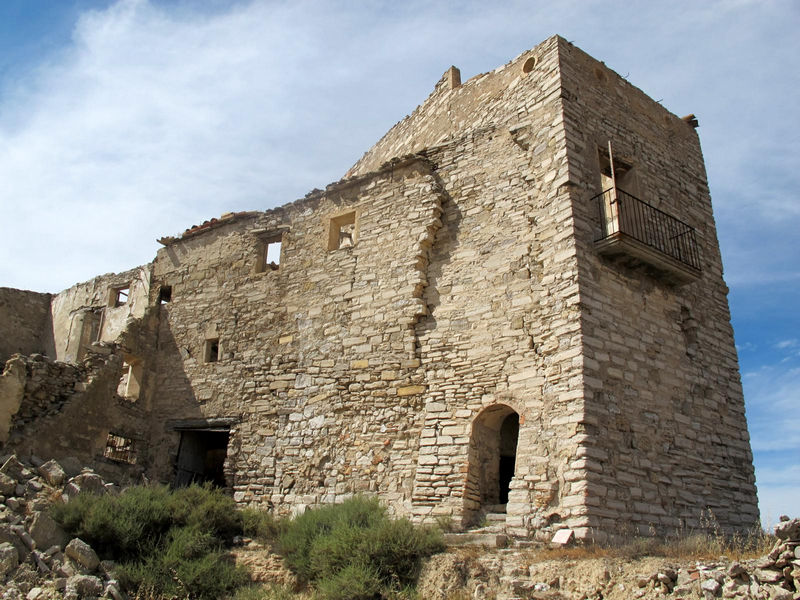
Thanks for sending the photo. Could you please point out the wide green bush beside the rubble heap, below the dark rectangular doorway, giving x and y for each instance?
(166, 543)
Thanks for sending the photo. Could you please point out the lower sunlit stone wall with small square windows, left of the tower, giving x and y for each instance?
(317, 357)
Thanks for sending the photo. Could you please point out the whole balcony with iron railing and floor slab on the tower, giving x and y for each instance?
(633, 228)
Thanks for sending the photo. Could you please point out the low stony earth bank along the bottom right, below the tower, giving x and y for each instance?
(514, 574)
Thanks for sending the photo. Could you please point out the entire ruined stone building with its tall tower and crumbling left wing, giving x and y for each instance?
(514, 298)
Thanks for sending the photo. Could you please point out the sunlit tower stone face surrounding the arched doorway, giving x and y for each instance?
(503, 326)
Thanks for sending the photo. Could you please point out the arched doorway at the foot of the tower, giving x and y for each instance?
(492, 459)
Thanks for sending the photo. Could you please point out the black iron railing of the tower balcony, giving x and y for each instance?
(622, 213)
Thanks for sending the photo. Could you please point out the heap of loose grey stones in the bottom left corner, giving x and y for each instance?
(38, 560)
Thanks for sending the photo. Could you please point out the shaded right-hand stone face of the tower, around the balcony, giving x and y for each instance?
(668, 436)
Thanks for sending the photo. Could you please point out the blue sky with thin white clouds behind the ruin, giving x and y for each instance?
(121, 122)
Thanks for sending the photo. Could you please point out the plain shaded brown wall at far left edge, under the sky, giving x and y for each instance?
(25, 326)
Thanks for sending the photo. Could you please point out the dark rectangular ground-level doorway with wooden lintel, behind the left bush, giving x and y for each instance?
(201, 457)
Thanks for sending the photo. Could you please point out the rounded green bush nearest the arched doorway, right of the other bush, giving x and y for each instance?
(354, 550)
